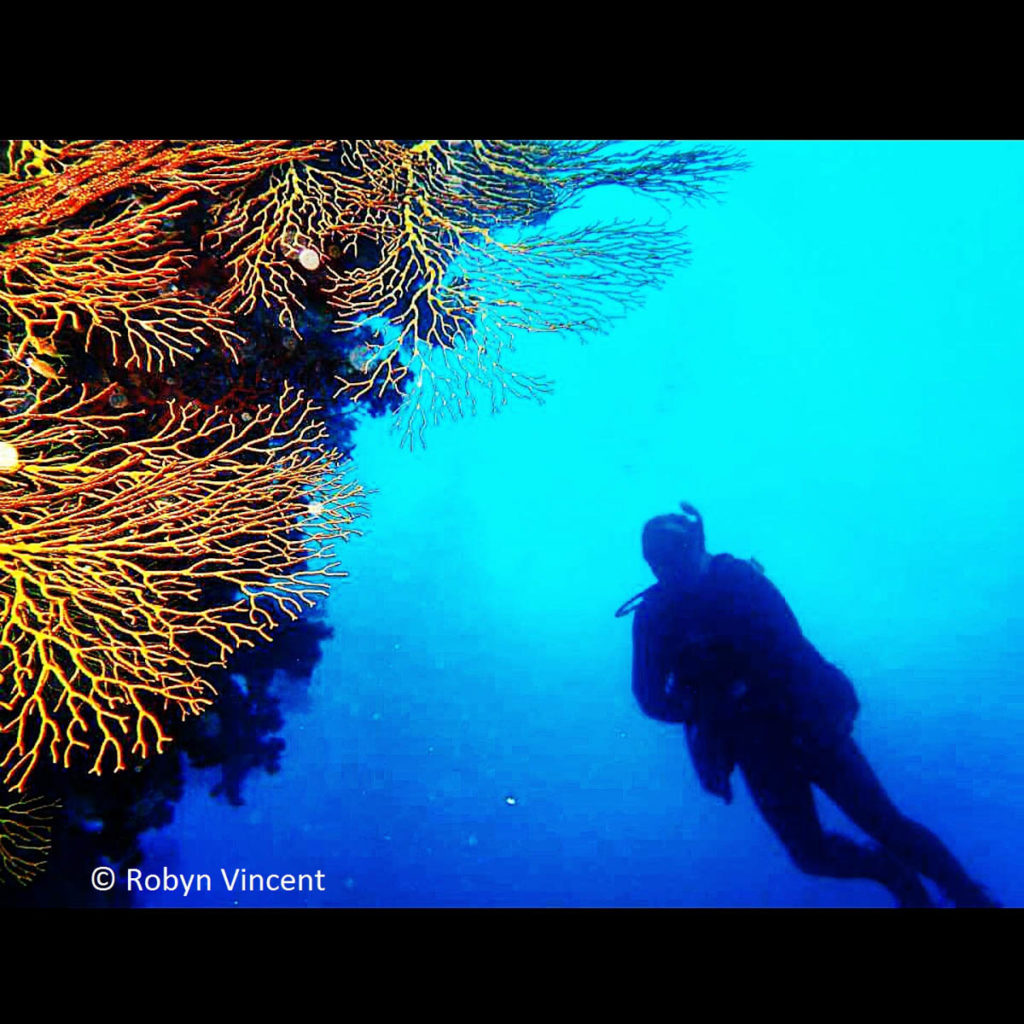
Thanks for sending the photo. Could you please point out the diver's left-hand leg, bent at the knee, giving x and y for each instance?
(783, 793)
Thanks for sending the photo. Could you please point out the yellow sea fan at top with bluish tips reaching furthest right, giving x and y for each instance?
(454, 287)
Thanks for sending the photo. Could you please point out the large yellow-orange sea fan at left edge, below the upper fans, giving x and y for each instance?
(130, 565)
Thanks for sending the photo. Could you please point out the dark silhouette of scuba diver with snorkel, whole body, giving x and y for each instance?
(716, 648)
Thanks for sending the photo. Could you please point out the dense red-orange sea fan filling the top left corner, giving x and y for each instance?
(115, 279)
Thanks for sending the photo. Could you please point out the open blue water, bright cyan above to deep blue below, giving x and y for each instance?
(836, 383)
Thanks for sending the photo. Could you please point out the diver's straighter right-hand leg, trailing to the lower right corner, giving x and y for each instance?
(845, 776)
